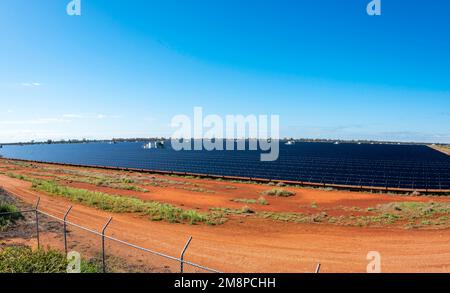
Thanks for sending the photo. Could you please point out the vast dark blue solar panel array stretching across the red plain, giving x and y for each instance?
(384, 166)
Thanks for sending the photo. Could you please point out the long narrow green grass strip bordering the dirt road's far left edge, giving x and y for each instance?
(118, 204)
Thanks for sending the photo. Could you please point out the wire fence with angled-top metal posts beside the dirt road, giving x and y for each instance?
(56, 230)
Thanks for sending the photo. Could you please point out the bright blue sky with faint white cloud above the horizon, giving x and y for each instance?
(125, 68)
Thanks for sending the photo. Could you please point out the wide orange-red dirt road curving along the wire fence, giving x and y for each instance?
(257, 245)
